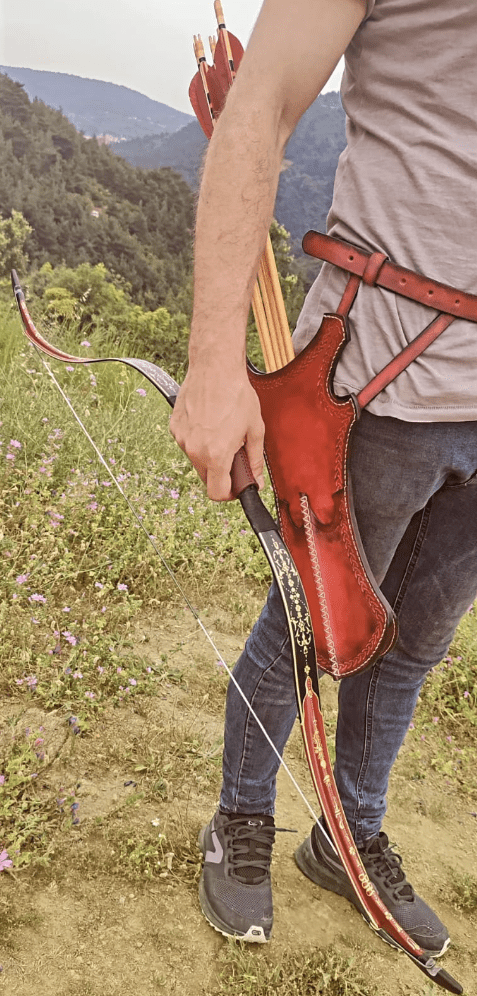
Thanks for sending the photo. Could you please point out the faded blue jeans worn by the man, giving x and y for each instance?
(415, 495)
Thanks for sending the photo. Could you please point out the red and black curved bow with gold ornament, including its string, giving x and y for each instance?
(302, 645)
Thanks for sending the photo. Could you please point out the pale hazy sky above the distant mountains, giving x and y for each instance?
(143, 44)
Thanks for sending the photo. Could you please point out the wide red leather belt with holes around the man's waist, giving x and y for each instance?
(376, 270)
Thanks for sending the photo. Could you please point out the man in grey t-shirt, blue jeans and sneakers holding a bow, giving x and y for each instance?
(405, 186)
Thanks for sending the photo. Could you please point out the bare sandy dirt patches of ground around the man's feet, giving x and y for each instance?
(77, 929)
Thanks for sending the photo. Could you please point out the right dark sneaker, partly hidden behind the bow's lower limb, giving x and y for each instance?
(317, 859)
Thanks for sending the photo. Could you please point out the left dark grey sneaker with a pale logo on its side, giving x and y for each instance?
(235, 889)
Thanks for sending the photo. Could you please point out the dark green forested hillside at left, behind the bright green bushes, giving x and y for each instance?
(85, 205)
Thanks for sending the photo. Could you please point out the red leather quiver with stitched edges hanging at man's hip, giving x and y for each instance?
(307, 433)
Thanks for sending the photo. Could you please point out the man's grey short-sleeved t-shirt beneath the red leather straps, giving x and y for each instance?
(406, 185)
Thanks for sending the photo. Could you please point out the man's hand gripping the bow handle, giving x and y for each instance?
(215, 414)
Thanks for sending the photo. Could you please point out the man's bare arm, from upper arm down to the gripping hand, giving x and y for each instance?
(292, 52)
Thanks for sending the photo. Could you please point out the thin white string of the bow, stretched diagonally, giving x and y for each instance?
(177, 584)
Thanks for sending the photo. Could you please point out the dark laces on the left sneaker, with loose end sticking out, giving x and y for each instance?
(251, 845)
